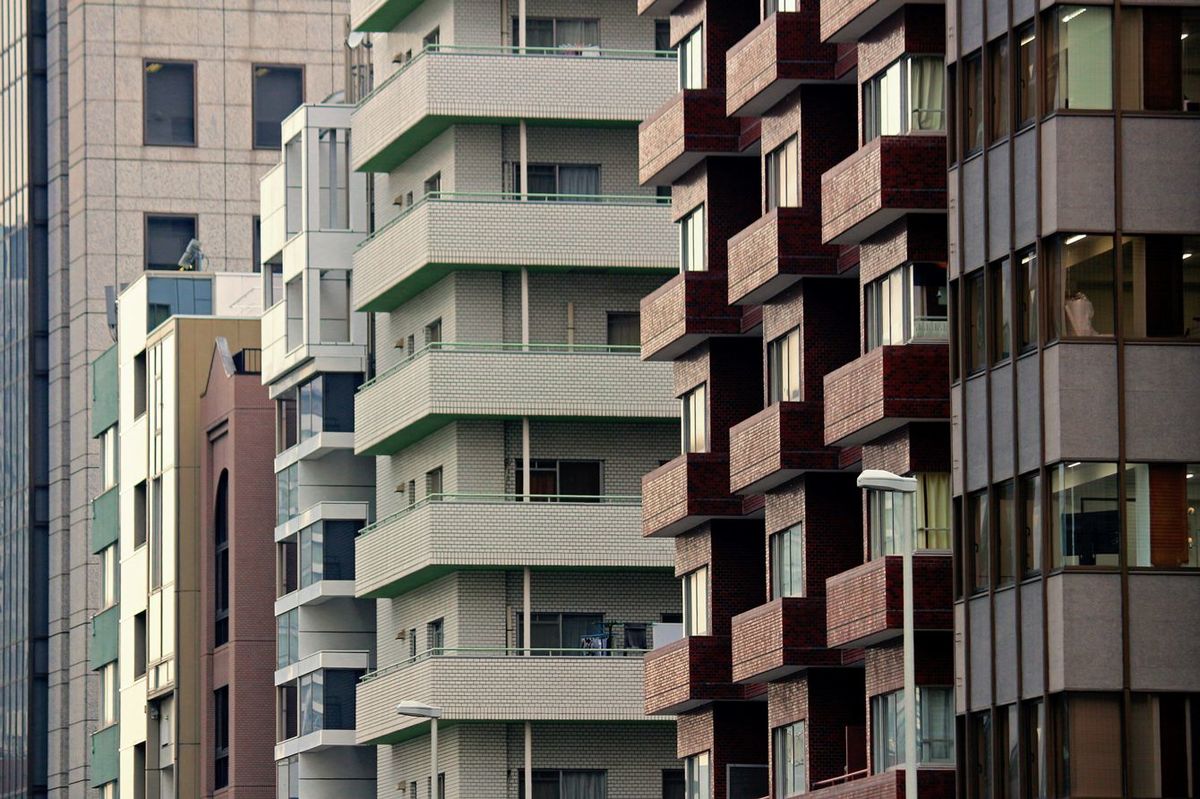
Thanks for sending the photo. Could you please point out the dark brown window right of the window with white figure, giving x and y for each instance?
(1161, 287)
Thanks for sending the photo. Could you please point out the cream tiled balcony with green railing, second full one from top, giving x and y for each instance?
(446, 232)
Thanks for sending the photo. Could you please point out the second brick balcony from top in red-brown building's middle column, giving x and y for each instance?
(773, 254)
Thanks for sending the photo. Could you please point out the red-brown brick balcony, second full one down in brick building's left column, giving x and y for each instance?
(683, 313)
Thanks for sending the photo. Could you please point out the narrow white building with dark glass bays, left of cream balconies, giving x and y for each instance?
(315, 356)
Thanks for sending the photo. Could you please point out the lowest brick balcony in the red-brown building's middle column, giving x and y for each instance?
(781, 638)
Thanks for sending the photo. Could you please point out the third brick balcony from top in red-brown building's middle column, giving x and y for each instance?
(777, 444)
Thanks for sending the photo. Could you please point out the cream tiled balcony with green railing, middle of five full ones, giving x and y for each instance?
(448, 381)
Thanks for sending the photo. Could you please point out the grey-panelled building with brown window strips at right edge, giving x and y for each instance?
(1073, 307)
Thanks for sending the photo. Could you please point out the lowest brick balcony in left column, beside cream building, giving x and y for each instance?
(688, 674)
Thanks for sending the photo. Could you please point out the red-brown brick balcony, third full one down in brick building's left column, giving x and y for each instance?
(687, 492)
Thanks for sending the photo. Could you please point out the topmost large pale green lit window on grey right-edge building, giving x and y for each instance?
(1079, 58)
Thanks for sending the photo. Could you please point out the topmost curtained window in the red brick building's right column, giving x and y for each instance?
(905, 98)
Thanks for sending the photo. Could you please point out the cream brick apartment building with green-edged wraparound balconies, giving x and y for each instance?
(509, 416)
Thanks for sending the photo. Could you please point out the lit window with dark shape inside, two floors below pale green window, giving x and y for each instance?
(1084, 515)
